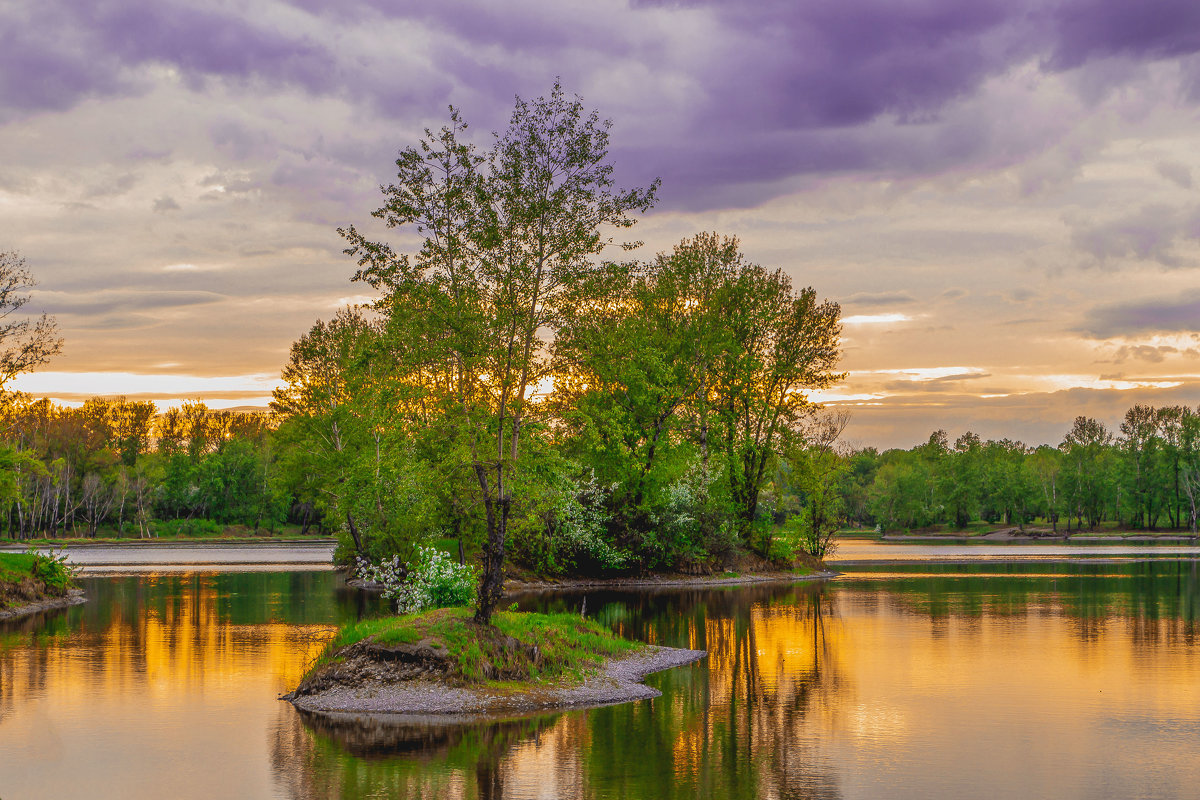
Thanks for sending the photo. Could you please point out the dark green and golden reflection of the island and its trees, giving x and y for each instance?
(736, 726)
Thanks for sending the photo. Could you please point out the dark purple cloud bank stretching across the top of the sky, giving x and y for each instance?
(776, 91)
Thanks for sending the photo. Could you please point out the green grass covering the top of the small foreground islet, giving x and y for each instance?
(568, 647)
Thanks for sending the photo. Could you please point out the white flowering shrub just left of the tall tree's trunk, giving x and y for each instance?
(434, 580)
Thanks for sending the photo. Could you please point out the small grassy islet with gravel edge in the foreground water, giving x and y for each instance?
(441, 663)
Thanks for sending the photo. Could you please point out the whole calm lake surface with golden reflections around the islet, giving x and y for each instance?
(901, 681)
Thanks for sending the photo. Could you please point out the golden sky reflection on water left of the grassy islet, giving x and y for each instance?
(147, 699)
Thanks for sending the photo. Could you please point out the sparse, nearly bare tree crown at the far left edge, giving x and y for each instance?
(25, 344)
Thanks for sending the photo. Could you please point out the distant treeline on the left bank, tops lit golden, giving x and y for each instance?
(68, 472)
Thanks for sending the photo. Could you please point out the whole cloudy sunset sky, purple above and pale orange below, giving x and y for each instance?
(1004, 196)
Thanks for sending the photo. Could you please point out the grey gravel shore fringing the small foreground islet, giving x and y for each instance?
(619, 681)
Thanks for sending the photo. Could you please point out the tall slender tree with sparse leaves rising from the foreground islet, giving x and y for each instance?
(506, 237)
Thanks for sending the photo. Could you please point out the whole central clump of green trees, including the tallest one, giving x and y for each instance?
(517, 389)
